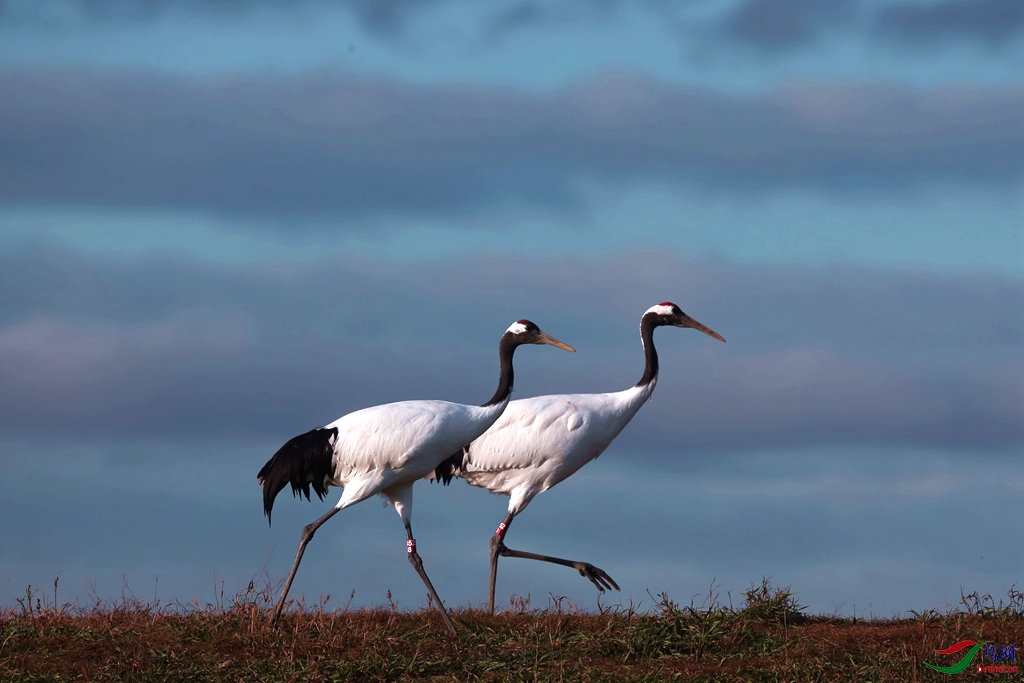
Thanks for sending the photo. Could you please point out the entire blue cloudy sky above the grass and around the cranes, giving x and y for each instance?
(225, 224)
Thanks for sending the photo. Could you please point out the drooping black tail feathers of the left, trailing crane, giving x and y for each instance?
(304, 462)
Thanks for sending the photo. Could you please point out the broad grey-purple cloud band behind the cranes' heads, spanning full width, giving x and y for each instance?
(815, 358)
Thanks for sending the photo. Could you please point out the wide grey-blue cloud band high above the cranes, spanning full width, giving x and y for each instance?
(332, 144)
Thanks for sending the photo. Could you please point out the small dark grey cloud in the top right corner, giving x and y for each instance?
(986, 22)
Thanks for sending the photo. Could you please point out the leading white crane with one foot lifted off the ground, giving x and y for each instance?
(542, 441)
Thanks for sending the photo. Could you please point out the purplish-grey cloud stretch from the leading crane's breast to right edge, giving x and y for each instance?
(808, 398)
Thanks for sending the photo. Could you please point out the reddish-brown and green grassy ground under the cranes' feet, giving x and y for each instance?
(769, 638)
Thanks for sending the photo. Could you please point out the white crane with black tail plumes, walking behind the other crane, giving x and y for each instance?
(386, 449)
